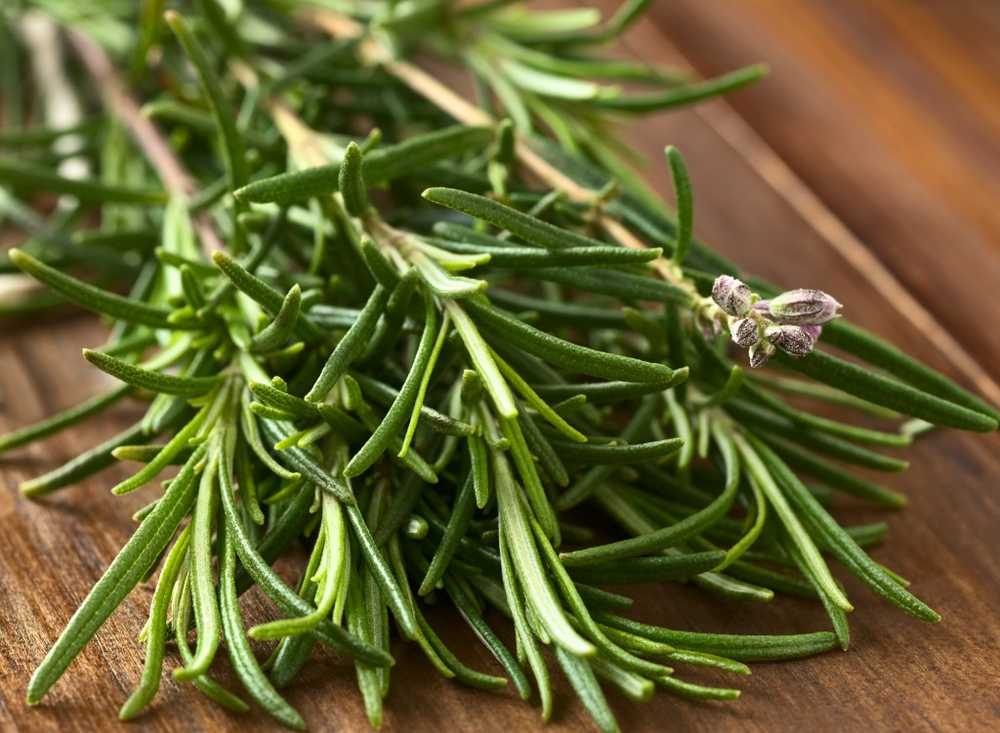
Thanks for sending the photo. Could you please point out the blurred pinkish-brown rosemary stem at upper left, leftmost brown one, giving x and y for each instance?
(170, 170)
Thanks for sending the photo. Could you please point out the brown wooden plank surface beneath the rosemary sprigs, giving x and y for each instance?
(910, 174)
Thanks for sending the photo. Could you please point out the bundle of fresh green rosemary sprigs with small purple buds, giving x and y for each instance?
(411, 335)
